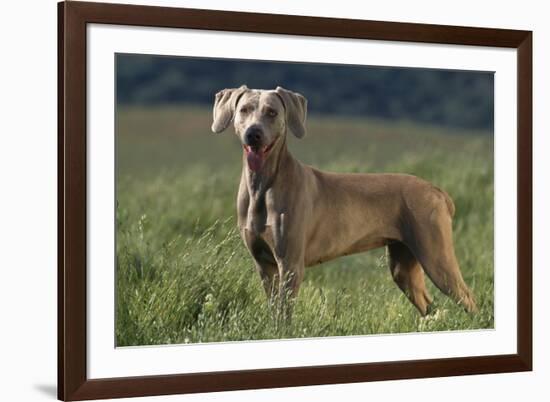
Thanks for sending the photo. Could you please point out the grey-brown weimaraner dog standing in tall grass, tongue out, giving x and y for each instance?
(292, 216)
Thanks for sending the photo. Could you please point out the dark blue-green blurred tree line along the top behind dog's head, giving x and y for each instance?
(459, 99)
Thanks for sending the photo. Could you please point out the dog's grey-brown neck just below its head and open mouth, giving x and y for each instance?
(258, 182)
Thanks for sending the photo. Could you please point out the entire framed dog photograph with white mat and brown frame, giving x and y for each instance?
(252, 201)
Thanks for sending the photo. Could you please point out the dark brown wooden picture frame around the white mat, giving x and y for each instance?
(73, 383)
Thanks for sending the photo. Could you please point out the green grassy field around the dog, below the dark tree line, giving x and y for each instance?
(184, 276)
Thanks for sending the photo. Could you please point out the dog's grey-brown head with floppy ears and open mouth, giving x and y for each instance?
(261, 119)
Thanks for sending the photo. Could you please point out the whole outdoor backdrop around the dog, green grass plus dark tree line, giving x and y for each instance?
(183, 274)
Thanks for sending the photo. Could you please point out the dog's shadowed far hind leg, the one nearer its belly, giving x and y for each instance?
(408, 275)
